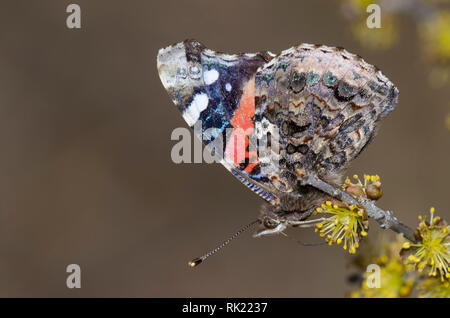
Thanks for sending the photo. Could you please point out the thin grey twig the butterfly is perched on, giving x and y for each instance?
(386, 219)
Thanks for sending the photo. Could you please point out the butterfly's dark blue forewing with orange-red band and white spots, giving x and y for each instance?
(216, 91)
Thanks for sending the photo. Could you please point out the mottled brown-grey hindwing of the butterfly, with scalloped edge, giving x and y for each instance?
(325, 103)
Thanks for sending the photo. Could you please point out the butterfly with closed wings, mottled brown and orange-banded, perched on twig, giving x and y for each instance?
(313, 108)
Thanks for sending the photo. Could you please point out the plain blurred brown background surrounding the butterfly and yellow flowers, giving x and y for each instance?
(85, 170)
